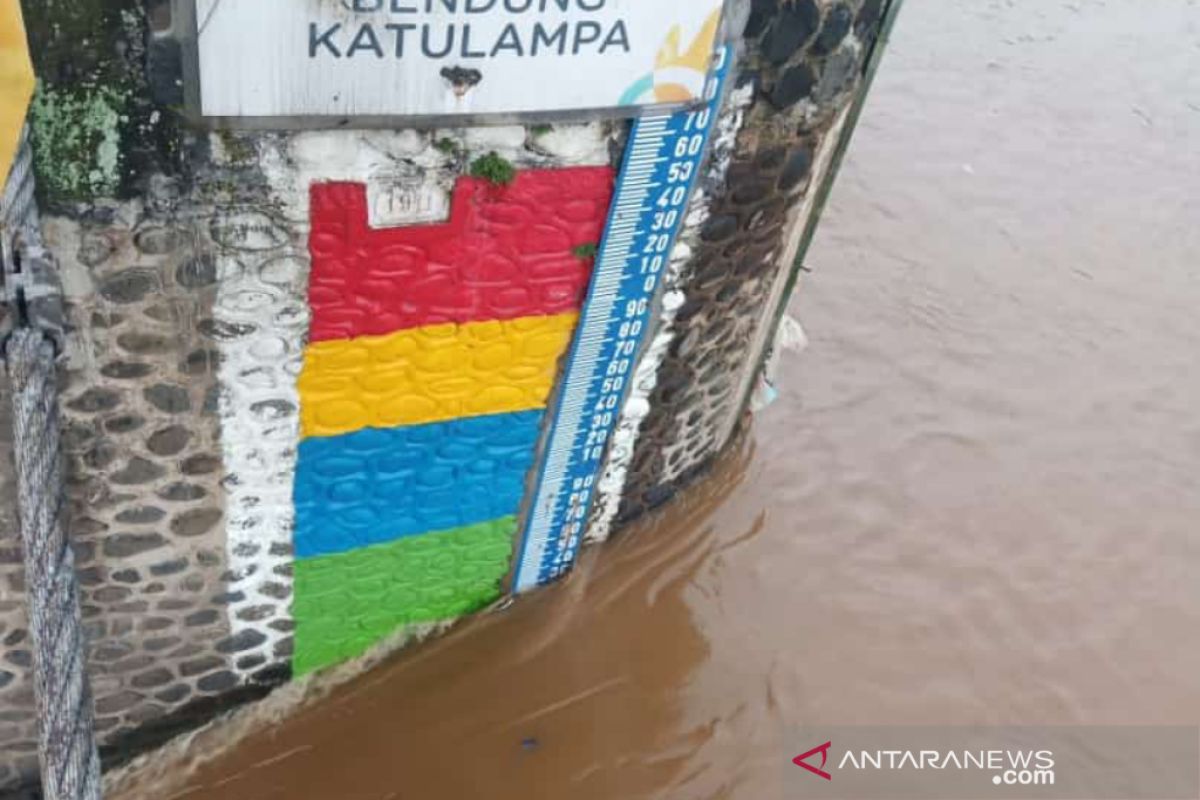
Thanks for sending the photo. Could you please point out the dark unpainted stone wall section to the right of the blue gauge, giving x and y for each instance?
(805, 61)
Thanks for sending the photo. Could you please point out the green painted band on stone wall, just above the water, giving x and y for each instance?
(347, 603)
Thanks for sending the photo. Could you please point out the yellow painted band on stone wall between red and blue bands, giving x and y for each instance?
(431, 375)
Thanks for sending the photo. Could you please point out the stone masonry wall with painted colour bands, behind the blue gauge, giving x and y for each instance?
(195, 364)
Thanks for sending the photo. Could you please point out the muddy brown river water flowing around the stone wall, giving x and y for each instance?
(976, 502)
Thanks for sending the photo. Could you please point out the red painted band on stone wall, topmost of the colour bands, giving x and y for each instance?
(507, 252)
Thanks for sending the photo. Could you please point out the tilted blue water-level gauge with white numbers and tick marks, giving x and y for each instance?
(663, 163)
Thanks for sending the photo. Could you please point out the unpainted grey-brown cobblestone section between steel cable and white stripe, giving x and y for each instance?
(142, 435)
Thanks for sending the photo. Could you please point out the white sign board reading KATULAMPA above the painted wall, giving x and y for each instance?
(405, 58)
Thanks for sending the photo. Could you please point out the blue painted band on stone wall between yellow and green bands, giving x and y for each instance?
(377, 486)
